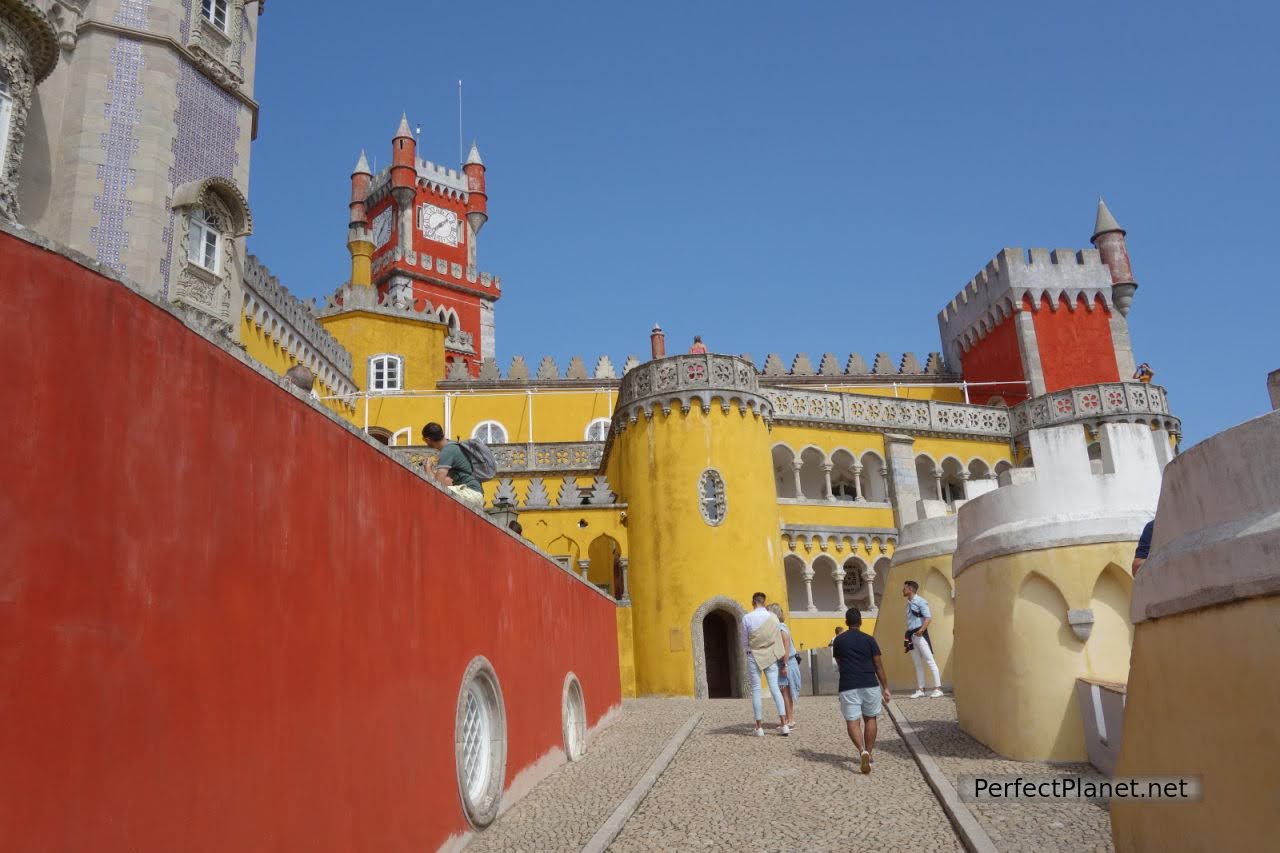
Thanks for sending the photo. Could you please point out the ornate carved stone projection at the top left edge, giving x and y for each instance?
(29, 52)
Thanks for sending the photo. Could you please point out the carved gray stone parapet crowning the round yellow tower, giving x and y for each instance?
(685, 378)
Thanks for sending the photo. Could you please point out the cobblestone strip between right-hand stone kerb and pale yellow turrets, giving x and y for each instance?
(1016, 828)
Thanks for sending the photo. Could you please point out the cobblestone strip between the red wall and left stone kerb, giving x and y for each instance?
(564, 811)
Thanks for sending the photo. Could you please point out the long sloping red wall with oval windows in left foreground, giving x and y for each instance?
(227, 623)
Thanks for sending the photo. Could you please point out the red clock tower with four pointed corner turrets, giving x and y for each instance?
(422, 222)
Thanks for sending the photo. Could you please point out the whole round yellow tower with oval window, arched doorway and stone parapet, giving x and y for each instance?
(692, 450)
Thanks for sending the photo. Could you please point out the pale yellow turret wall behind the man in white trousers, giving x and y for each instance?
(934, 574)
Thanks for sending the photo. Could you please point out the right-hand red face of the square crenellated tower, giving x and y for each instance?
(1076, 346)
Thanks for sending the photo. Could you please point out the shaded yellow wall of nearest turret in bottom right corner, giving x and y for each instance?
(1229, 655)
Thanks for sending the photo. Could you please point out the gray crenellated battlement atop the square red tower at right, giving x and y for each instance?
(1039, 279)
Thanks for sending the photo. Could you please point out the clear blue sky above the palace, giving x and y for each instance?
(803, 177)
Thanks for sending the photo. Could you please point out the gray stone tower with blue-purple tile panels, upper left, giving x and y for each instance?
(138, 145)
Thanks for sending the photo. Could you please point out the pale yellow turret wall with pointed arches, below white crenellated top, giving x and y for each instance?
(1016, 690)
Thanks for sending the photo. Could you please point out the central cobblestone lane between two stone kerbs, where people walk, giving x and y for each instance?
(729, 791)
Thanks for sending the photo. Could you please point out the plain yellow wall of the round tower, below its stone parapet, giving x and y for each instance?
(678, 560)
